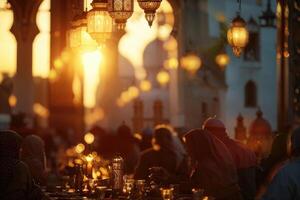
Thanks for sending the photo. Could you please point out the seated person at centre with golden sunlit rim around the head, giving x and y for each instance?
(167, 154)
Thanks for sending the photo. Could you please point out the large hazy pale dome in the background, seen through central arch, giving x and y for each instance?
(154, 55)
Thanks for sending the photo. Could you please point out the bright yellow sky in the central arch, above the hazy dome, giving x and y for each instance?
(139, 35)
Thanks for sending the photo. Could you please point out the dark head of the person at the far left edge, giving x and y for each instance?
(10, 143)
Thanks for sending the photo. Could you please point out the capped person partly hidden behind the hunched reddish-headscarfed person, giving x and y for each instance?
(243, 157)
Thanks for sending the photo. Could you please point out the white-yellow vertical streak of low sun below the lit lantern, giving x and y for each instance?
(91, 68)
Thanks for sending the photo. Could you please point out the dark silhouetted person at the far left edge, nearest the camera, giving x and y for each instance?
(15, 178)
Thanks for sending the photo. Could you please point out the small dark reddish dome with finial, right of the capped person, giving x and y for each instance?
(260, 127)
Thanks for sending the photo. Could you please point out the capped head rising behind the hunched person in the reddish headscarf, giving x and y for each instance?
(216, 127)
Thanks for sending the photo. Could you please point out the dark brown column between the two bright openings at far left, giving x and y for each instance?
(25, 30)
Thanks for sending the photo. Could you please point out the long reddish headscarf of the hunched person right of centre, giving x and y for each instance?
(212, 156)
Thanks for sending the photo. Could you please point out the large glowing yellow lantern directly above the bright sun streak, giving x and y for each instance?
(99, 22)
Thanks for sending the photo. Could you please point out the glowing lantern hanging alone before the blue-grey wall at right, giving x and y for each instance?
(238, 35)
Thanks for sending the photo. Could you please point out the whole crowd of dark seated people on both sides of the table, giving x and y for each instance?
(204, 158)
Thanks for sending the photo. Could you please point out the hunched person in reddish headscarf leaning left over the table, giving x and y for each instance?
(214, 169)
